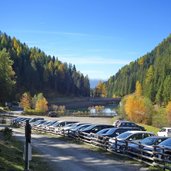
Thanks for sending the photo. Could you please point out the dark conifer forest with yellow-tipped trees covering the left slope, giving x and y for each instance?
(37, 72)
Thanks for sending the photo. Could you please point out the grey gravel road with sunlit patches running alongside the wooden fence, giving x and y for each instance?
(67, 156)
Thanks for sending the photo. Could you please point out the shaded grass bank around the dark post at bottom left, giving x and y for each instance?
(11, 157)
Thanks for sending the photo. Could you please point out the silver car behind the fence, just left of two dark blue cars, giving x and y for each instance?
(120, 143)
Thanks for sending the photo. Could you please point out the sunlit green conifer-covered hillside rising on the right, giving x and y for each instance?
(153, 70)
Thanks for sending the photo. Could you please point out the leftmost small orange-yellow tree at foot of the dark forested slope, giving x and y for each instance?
(25, 101)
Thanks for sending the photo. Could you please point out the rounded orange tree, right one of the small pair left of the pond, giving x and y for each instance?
(41, 105)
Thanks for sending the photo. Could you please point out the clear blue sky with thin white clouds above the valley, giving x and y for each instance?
(98, 36)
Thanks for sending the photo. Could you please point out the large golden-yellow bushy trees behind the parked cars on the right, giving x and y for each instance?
(140, 109)
